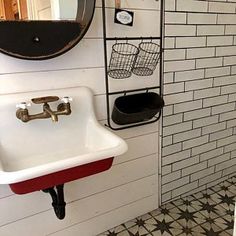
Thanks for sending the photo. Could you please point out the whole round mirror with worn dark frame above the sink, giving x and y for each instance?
(42, 29)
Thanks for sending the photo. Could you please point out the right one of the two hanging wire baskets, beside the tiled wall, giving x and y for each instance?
(147, 59)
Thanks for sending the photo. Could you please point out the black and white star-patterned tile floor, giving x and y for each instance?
(207, 213)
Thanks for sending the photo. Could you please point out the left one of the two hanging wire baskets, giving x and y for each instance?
(122, 60)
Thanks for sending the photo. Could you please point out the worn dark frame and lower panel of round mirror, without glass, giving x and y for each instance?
(40, 40)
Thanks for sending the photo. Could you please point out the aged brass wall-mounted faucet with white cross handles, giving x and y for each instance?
(63, 108)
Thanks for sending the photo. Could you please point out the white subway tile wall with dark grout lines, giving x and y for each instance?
(202, 145)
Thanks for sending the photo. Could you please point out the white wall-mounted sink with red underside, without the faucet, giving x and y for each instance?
(41, 154)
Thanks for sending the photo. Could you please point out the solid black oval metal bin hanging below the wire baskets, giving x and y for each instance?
(136, 108)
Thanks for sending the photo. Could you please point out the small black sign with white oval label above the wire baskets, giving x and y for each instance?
(124, 17)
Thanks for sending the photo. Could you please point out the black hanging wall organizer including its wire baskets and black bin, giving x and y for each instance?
(135, 107)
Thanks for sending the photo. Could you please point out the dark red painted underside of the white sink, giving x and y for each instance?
(61, 177)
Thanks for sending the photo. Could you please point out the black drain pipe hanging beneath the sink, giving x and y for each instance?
(58, 202)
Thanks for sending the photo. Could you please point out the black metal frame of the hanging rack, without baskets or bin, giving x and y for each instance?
(147, 89)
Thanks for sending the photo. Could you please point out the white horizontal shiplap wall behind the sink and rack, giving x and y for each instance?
(130, 187)
